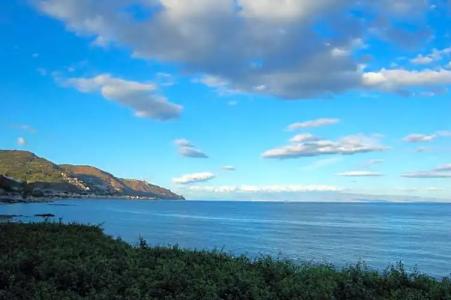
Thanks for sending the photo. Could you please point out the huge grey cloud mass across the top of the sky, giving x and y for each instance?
(260, 46)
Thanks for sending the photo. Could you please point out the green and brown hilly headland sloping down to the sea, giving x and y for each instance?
(25, 174)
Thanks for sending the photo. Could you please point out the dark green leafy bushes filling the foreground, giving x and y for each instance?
(56, 261)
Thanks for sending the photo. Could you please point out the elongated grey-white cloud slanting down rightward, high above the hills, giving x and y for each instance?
(143, 98)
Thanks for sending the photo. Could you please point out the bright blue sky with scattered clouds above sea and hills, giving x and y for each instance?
(199, 95)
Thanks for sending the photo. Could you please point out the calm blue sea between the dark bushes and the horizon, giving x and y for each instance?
(340, 233)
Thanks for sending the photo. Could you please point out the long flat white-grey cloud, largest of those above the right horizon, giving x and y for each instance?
(347, 145)
